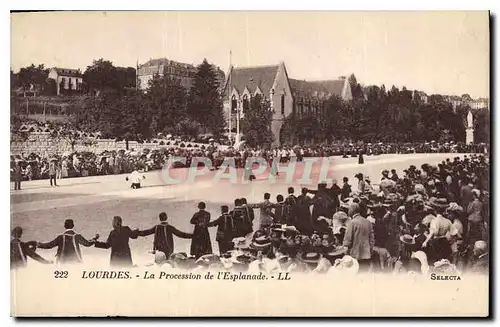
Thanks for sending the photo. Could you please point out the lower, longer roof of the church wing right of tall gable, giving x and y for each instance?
(316, 88)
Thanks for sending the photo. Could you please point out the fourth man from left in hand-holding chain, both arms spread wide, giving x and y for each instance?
(163, 235)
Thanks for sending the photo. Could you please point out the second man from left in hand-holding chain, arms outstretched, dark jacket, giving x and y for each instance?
(68, 244)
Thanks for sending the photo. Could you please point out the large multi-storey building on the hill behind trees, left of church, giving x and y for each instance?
(165, 67)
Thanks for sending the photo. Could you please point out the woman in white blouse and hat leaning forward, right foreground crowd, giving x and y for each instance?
(439, 232)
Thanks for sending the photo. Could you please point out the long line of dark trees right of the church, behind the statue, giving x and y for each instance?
(380, 115)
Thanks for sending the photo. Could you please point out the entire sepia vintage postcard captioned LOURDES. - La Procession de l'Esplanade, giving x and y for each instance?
(234, 164)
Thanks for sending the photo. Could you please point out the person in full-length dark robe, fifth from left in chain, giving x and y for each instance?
(200, 244)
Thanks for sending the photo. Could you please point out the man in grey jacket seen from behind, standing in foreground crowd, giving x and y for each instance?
(359, 238)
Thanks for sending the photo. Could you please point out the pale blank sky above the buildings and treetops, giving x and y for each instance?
(435, 52)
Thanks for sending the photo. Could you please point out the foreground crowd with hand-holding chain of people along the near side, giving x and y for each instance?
(421, 220)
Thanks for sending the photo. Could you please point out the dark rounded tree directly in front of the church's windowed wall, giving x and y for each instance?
(256, 124)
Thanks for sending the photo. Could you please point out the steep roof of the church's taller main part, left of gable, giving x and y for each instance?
(253, 77)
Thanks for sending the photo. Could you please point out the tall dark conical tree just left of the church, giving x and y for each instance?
(205, 100)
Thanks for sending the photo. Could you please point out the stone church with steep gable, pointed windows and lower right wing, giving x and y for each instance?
(286, 95)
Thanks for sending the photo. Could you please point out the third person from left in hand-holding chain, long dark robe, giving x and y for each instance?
(118, 241)
